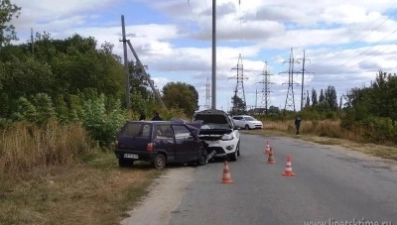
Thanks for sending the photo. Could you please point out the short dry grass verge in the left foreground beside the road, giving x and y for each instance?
(94, 193)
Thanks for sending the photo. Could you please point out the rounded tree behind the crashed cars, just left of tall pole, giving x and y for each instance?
(181, 96)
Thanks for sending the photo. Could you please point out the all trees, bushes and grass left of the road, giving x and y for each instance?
(61, 105)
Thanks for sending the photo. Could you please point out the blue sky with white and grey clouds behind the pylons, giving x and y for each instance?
(345, 43)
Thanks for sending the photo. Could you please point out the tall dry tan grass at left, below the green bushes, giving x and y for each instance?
(24, 146)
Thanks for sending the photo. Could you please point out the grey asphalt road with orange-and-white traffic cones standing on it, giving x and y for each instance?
(331, 185)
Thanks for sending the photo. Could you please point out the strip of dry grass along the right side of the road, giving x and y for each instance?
(330, 133)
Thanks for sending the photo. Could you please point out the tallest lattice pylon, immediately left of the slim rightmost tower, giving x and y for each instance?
(290, 100)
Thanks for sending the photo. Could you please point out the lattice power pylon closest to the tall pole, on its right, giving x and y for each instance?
(239, 90)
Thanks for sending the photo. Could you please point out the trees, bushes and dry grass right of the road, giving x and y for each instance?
(363, 119)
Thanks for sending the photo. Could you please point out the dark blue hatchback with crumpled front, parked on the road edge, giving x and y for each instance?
(160, 142)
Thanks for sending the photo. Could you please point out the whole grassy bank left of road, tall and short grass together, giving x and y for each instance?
(59, 176)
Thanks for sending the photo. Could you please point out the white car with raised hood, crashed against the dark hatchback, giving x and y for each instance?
(220, 133)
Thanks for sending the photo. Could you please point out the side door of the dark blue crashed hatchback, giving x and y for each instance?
(186, 147)
